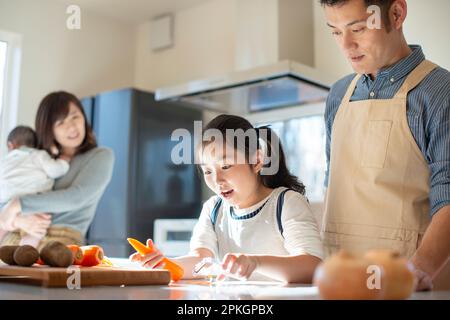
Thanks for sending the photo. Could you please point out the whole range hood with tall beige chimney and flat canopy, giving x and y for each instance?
(274, 49)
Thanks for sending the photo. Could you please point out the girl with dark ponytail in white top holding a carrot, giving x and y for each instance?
(259, 226)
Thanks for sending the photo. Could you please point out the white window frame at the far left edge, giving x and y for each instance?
(10, 102)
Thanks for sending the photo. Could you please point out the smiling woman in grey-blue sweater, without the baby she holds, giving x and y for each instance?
(64, 132)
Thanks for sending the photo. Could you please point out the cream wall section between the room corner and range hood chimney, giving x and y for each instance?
(204, 46)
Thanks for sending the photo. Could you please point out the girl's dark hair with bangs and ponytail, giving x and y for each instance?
(282, 178)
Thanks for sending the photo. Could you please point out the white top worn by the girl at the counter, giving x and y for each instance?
(259, 234)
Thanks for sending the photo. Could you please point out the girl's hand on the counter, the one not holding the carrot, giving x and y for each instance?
(239, 265)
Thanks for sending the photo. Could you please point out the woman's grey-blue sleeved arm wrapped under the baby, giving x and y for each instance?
(89, 184)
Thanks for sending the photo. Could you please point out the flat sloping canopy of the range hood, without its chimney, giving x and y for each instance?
(283, 84)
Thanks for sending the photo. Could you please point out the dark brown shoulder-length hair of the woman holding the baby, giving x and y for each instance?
(55, 107)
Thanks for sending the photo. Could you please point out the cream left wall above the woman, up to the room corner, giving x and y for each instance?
(98, 57)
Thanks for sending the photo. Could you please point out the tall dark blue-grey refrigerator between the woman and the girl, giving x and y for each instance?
(146, 185)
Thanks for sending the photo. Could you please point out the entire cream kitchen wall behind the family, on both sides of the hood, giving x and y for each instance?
(107, 54)
